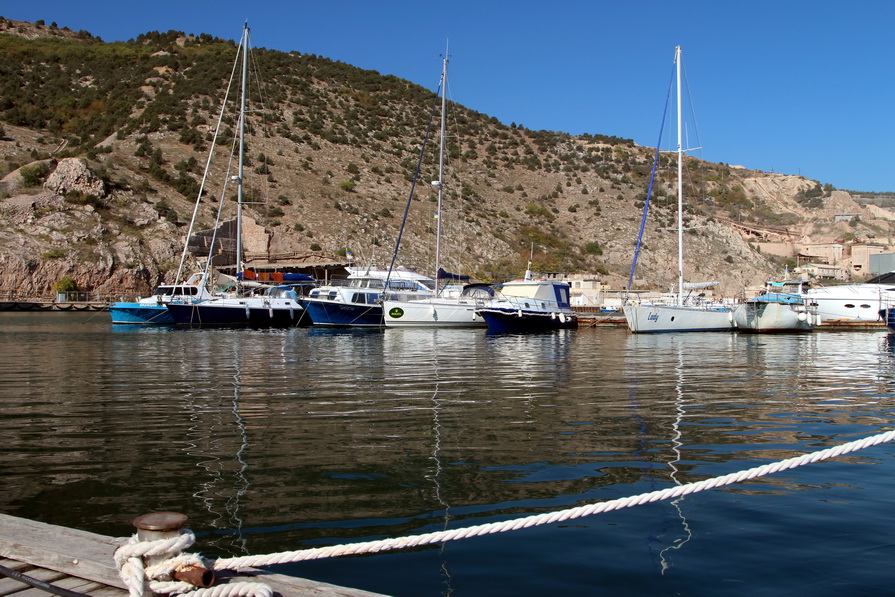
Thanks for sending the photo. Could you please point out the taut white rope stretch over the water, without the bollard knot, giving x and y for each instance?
(550, 517)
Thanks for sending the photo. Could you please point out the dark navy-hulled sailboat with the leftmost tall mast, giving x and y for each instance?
(278, 306)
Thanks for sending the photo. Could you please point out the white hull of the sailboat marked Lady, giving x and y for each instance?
(673, 318)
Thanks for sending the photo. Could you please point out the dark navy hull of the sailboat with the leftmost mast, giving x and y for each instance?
(237, 314)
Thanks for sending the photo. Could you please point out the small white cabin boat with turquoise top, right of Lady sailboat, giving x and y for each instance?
(781, 307)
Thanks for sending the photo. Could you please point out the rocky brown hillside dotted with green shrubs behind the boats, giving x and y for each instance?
(103, 148)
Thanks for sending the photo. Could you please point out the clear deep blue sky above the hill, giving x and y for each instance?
(799, 87)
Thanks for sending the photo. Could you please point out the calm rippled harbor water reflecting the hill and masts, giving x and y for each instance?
(279, 440)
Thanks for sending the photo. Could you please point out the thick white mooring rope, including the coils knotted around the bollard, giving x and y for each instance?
(131, 567)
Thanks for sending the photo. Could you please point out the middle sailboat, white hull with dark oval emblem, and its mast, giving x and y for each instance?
(453, 304)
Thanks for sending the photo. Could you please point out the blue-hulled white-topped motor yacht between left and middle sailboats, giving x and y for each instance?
(357, 300)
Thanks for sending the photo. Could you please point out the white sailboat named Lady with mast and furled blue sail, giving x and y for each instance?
(683, 313)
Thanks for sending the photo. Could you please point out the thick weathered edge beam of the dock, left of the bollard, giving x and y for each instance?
(74, 552)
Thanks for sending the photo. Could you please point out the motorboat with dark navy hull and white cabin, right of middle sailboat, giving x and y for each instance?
(529, 305)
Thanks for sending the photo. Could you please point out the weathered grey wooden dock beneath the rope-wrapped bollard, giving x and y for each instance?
(62, 561)
